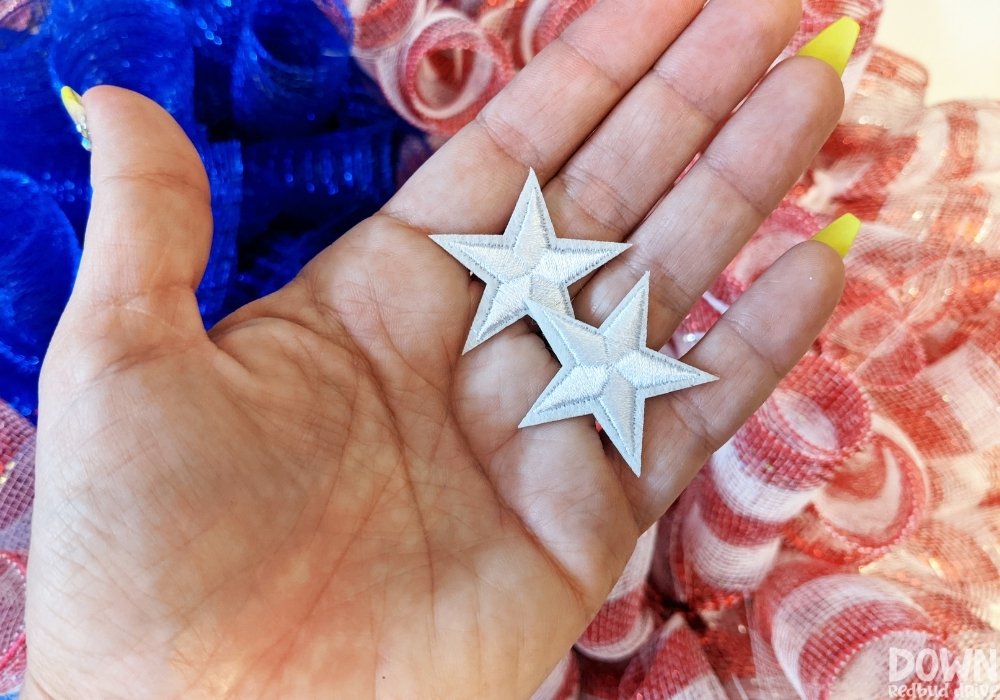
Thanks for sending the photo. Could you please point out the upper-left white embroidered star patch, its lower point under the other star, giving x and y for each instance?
(526, 263)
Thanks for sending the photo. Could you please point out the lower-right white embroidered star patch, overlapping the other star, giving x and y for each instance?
(608, 372)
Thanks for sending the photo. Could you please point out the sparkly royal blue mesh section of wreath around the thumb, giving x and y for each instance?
(297, 142)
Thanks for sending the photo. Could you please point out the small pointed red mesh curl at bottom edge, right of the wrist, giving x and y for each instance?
(671, 666)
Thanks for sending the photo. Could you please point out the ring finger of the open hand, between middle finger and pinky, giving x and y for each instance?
(693, 234)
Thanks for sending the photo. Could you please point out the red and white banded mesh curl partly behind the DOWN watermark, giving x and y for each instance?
(833, 633)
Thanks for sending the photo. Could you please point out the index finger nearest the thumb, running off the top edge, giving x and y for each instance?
(542, 117)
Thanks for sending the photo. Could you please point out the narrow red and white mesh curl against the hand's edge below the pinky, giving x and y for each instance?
(625, 621)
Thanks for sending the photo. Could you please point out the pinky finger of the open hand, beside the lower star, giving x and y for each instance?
(757, 341)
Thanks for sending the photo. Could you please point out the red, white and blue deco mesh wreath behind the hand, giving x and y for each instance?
(858, 510)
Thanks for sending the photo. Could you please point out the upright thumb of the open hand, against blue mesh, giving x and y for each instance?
(150, 227)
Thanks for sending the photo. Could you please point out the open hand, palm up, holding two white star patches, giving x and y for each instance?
(321, 497)
